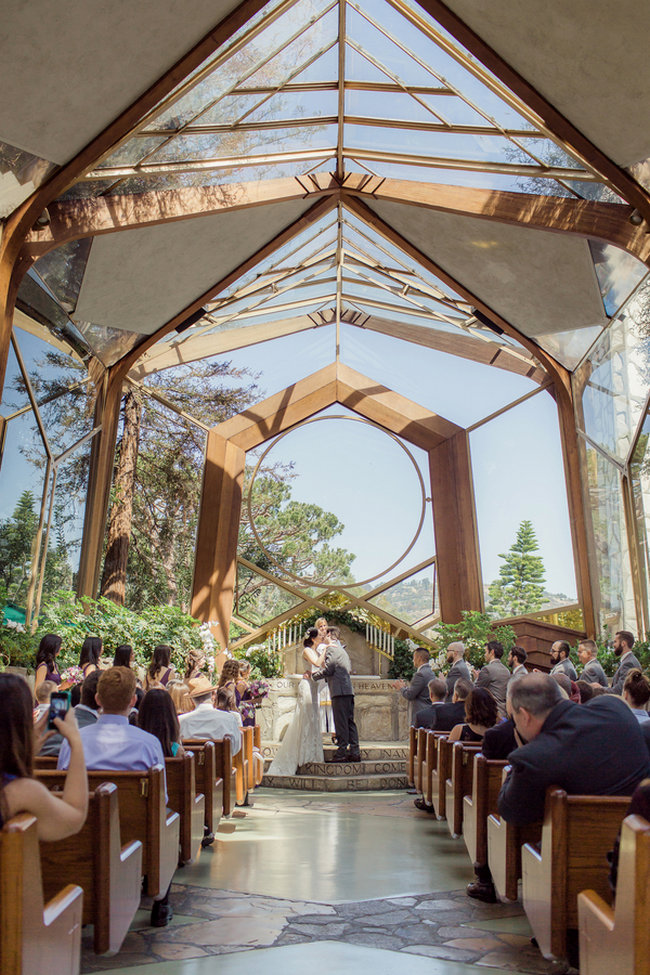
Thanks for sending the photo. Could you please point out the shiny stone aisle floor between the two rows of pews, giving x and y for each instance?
(339, 881)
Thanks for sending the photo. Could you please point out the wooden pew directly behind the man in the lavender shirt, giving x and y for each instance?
(143, 816)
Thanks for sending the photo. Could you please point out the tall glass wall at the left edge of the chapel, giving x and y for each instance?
(47, 422)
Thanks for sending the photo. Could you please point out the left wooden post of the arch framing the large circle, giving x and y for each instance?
(215, 568)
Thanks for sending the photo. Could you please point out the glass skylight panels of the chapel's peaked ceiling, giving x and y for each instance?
(311, 85)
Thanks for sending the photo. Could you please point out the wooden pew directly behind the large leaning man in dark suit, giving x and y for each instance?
(577, 833)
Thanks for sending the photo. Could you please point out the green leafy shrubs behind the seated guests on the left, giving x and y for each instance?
(75, 619)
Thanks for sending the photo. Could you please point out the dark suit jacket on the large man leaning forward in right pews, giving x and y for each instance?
(586, 749)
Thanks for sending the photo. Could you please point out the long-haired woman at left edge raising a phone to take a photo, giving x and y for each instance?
(57, 816)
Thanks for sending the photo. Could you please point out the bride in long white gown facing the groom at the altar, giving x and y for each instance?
(302, 742)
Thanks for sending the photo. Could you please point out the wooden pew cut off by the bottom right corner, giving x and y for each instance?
(618, 939)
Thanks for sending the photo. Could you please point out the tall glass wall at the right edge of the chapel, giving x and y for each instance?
(611, 389)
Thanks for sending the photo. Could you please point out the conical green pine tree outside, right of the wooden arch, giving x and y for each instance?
(520, 586)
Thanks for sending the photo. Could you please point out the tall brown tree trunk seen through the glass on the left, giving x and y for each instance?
(119, 519)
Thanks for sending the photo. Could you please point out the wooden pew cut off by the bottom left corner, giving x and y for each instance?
(34, 936)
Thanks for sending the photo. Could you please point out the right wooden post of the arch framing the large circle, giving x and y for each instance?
(454, 518)
